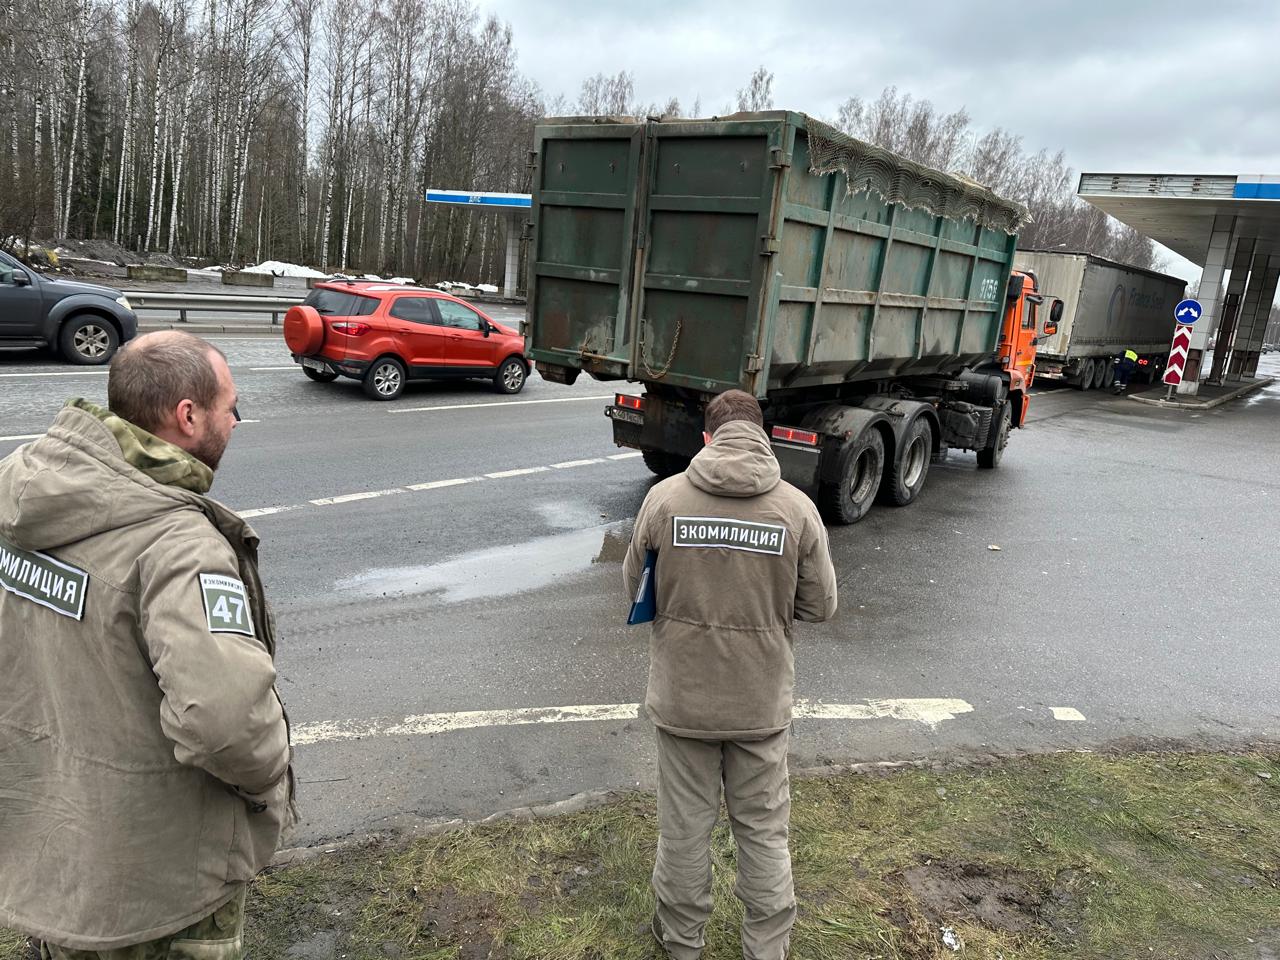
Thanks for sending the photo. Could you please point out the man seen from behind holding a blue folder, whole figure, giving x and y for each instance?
(742, 554)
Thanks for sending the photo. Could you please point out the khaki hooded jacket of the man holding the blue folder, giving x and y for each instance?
(742, 554)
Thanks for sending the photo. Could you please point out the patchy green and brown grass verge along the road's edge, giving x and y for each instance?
(1069, 856)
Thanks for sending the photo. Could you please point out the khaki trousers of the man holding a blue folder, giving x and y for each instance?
(758, 796)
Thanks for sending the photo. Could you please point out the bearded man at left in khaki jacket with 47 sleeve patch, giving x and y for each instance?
(144, 751)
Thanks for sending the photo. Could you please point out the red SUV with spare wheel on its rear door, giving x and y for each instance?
(386, 335)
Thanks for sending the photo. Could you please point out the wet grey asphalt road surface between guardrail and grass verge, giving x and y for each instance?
(1135, 584)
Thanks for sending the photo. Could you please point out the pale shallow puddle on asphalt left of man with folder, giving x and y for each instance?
(500, 572)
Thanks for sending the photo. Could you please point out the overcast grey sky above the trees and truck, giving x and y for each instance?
(1121, 86)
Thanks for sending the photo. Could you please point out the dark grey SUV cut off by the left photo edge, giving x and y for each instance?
(85, 322)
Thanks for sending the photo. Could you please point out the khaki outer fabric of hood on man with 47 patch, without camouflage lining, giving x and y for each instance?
(75, 483)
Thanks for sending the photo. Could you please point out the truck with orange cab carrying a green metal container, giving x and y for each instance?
(860, 296)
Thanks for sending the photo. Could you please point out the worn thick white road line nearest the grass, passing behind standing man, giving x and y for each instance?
(930, 712)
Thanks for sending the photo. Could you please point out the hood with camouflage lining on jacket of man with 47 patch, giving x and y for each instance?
(90, 474)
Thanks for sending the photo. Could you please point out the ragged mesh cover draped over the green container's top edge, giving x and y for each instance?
(913, 186)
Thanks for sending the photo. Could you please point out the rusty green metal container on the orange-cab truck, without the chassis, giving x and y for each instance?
(710, 255)
